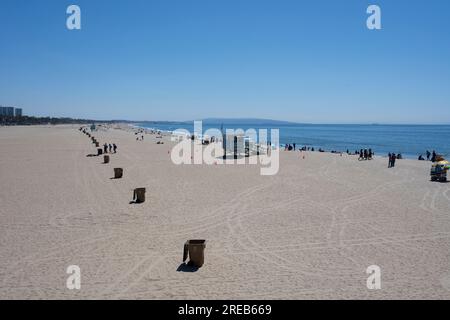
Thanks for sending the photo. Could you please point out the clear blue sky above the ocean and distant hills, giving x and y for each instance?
(306, 61)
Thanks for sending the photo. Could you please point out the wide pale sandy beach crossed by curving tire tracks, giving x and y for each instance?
(309, 232)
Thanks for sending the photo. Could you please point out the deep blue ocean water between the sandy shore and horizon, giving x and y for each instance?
(409, 140)
